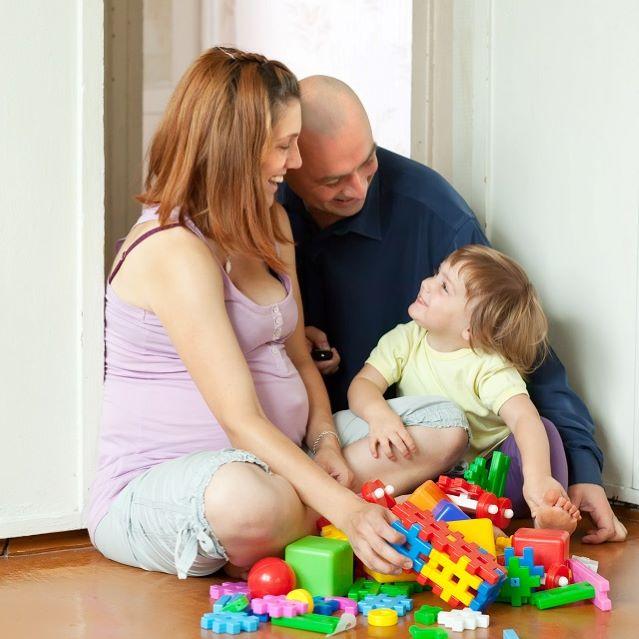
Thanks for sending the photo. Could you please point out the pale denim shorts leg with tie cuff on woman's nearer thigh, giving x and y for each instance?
(157, 522)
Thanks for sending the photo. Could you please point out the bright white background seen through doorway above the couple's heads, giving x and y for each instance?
(365, 43)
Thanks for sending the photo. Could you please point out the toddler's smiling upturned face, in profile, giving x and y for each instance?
(441, 305)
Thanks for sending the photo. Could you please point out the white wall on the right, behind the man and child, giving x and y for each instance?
(546, 132)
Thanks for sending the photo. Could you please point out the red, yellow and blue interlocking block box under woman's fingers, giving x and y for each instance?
(460, 572)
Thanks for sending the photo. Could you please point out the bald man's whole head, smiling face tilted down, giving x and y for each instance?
(337, 149)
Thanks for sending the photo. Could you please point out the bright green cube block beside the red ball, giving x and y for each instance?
(323, 566)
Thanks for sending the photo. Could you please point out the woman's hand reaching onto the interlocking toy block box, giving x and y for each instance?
(370, 534)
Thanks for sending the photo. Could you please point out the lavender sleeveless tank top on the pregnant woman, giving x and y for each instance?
(152, 411)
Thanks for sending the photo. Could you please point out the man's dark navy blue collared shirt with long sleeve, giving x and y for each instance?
(359, 275)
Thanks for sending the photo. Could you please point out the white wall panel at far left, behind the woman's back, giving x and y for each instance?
(51, 203)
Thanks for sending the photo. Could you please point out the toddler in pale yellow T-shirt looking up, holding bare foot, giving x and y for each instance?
(477, 327)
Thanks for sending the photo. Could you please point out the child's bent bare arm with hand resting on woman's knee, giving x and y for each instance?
(386, 429)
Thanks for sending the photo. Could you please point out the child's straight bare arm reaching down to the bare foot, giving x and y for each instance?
(522, 418)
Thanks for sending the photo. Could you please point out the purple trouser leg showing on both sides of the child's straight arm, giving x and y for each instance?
(515, 479)
